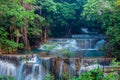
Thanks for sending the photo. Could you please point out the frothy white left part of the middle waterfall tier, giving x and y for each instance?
(60, 44)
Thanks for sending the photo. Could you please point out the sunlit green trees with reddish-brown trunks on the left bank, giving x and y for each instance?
(18, 24)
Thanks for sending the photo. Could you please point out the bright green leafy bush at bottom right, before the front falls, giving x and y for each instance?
(96, 74)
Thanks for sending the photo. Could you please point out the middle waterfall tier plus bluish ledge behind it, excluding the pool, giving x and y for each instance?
(77, 43)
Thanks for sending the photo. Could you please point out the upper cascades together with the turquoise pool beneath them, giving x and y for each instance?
(81, 45)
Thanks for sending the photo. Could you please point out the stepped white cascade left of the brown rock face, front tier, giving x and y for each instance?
(40, 68)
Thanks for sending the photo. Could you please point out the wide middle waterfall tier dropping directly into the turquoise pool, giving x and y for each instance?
(76, 44)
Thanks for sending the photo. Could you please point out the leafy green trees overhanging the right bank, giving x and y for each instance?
(107, 13)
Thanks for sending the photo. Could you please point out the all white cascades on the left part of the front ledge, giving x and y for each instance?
(32, 69)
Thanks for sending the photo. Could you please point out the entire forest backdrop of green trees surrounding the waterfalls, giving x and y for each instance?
(26, 23)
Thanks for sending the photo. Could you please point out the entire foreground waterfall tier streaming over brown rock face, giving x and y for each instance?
(38, 68)
